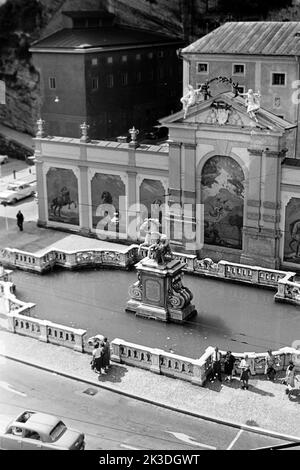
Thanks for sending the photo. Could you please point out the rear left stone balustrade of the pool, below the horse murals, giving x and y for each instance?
(68, 259)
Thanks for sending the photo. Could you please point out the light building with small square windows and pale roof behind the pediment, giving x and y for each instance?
(263, 56)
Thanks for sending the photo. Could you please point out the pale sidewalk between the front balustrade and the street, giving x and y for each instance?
(264, 405)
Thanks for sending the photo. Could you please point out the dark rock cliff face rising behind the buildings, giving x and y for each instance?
(32, 19)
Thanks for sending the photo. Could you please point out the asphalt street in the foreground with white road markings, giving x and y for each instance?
(111, 421)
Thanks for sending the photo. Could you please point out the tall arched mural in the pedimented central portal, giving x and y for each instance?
(222, 193)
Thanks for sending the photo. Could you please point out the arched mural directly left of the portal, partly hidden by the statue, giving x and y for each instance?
(152, 199)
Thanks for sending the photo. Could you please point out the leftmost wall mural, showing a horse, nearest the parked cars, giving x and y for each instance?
(62, 196)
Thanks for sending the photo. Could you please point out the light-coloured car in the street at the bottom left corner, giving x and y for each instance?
(40, 431)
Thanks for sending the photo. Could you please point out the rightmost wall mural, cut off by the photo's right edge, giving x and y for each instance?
(292, 231)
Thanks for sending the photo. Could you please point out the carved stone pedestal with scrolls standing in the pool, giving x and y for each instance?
(159, 294)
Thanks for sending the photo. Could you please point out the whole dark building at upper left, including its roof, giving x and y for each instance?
(106, 75)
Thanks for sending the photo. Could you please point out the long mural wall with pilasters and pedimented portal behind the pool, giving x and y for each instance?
(221, 187)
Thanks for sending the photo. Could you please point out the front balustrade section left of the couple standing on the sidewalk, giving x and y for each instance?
(46, 331)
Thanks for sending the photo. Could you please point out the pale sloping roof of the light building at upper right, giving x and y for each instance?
(256, 38)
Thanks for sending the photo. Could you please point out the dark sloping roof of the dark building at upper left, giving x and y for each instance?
(104, 37)
